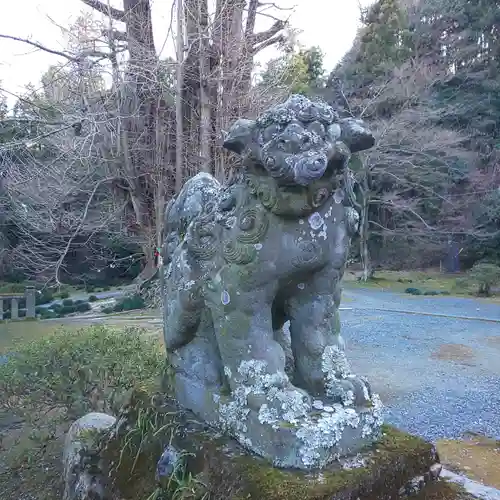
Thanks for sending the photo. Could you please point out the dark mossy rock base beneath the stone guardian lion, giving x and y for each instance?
(229, 472)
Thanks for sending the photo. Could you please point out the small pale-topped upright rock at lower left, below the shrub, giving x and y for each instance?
(85, 476)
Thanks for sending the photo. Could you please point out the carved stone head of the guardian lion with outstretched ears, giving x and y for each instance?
(299, 141)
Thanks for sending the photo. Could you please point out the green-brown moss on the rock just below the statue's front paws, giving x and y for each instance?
(397, 458)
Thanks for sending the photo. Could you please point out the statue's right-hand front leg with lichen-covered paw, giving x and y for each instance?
(321, 366)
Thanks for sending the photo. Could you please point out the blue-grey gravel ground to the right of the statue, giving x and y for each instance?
(438, 376)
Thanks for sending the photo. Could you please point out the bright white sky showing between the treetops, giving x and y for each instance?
(330, 24)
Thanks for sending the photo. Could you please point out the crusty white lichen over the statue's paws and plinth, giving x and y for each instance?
(318, 435)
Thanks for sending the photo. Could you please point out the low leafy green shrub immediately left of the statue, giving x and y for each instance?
(87, 370)
